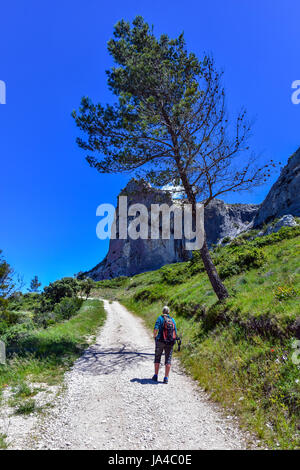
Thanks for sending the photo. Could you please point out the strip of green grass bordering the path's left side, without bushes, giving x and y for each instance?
(45, 355)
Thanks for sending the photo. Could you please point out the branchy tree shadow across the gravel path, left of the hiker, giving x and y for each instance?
(97, 360)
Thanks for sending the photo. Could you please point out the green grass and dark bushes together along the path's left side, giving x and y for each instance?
(44, 334)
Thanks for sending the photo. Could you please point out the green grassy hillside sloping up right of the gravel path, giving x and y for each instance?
(240, 351)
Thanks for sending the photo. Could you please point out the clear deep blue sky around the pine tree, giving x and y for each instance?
(52, 53)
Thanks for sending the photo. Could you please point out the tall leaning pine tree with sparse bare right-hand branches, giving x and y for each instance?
(170, 123)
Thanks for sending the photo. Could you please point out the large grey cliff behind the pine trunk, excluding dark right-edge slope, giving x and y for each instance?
(129, 257)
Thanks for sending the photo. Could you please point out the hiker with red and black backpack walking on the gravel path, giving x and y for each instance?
(165, 333)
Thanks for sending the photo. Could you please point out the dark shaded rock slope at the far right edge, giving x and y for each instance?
(283, 198)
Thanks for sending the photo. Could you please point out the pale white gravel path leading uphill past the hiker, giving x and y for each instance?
(111, 403)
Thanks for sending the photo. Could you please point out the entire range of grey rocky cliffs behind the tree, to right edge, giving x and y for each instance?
(129, 257)
